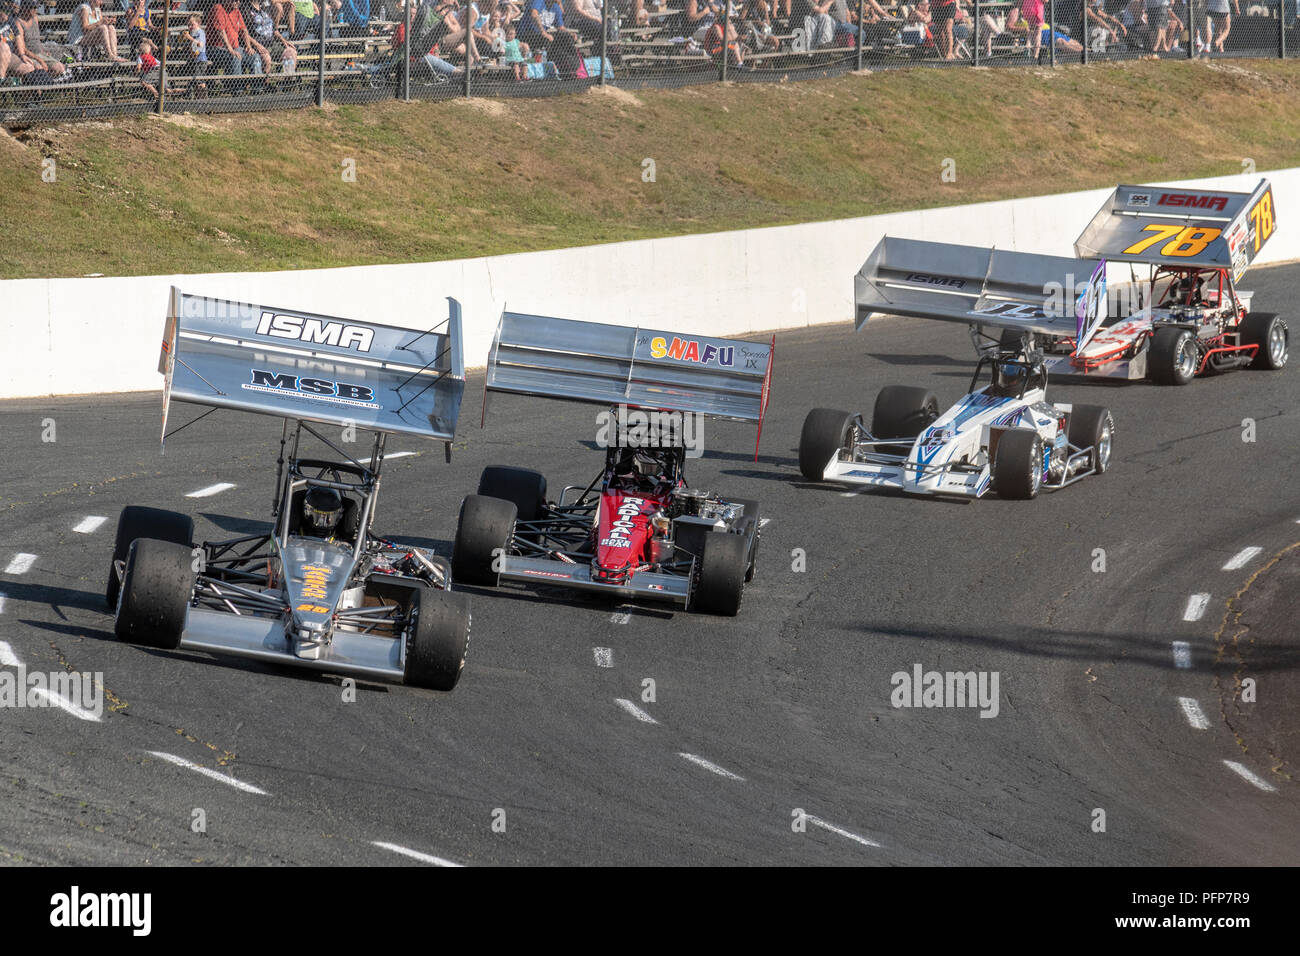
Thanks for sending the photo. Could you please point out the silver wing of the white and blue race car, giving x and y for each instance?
(973, 285)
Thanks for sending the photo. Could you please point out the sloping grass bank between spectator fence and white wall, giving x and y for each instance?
(482, 178)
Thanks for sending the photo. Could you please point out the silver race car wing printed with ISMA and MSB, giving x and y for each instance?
(311, 367)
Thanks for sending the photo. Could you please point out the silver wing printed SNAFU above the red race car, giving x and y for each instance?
(617, 365)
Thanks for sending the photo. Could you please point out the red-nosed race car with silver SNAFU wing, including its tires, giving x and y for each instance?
(638, 530)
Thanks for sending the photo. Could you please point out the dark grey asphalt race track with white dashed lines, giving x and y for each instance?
(1111, 698)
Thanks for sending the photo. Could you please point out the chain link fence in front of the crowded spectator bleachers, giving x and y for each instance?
(84, 59)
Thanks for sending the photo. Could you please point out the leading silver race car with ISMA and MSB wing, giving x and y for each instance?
(320, 590)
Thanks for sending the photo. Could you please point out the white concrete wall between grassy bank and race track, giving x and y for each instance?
(68, 336)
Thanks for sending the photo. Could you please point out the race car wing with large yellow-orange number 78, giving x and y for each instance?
(1184, 228)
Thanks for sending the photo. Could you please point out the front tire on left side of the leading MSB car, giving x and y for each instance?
(157, 592)
